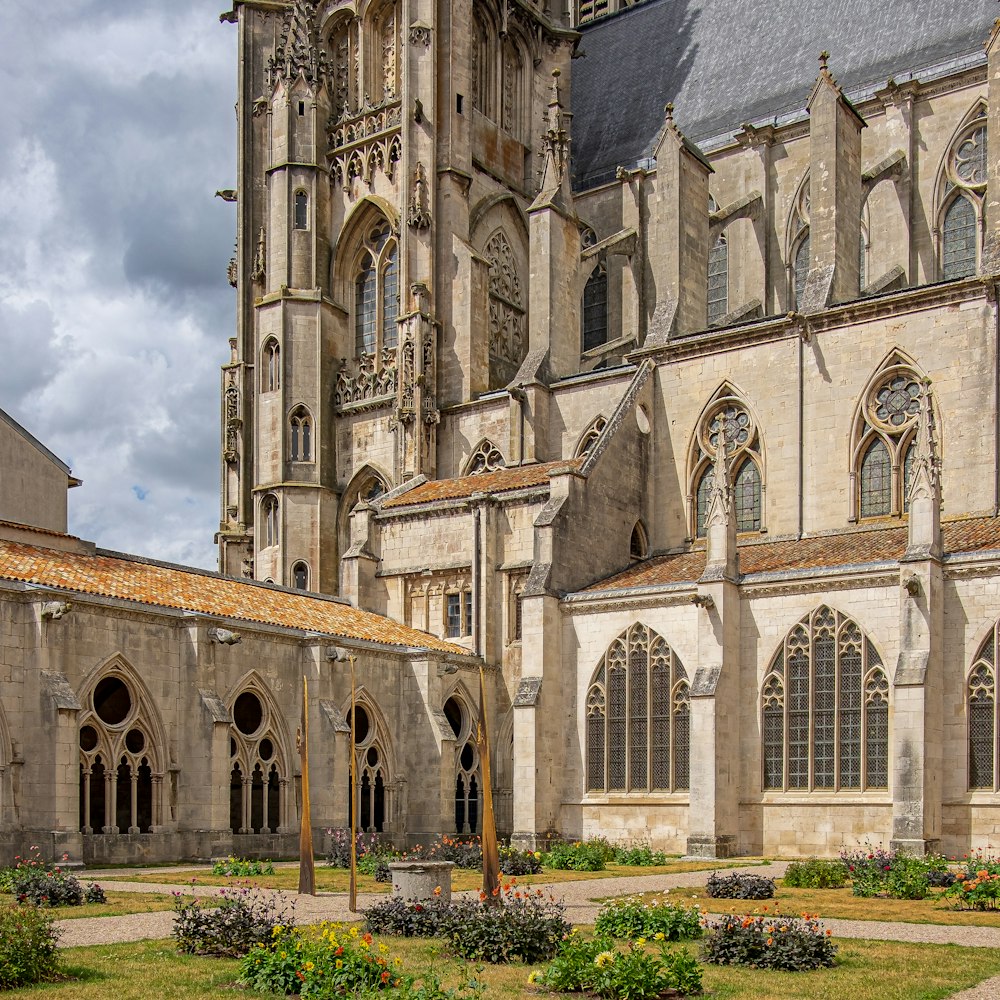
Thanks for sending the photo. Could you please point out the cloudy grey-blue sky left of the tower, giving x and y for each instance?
(115, 313)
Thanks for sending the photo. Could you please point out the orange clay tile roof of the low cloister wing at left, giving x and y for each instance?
(131, 579)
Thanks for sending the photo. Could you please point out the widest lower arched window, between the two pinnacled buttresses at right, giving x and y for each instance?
(825, 709)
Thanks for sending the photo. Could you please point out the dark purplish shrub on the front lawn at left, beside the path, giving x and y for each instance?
(245, 917)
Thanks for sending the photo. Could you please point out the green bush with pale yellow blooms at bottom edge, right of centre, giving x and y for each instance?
(632, 973)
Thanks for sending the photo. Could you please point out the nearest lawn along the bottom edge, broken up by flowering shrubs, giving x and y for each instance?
(865, 970)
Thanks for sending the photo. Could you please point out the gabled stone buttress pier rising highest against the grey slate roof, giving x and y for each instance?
(834, 195)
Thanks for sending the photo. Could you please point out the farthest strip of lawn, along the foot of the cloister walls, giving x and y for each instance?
(338, 879)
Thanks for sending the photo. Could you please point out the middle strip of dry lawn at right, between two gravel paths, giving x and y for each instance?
(840, 904)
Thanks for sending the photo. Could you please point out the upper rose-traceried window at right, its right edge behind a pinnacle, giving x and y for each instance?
(884, 432)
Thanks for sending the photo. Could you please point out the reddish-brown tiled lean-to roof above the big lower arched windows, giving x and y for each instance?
(851, 548)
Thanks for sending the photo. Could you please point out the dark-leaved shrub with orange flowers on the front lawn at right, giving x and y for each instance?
(781, 943)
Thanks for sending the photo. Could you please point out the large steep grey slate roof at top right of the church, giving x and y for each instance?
(726, 62)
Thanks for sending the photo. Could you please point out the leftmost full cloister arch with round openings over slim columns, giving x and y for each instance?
(121, 758)
